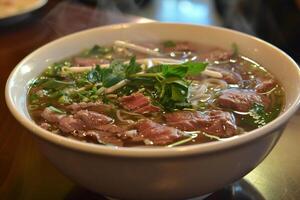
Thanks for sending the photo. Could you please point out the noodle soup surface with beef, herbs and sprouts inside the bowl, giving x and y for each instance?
(154, 94)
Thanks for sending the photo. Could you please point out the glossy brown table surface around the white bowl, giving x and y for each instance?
(26, 174)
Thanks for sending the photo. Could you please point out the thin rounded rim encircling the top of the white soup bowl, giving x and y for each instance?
(142, 152)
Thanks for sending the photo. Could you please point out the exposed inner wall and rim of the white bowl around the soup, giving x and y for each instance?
(276, 61)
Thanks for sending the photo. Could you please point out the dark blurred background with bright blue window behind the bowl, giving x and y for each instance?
(276, 21)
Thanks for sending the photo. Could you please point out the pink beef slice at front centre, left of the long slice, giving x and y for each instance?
(156, 133)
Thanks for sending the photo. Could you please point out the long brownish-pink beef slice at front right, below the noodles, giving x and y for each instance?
(215, 122)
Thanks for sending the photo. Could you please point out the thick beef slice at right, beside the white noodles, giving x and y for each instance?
(241, 99)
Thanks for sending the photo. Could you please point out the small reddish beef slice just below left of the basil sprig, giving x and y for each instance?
(138, 103)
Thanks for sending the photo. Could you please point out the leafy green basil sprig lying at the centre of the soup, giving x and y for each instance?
(170, 83)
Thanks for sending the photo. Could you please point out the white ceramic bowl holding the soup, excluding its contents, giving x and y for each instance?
(156, 173)
